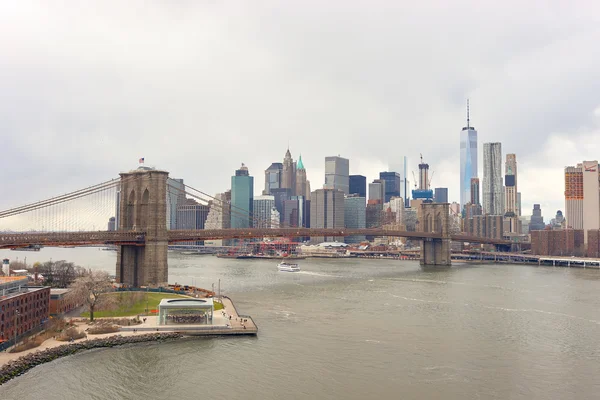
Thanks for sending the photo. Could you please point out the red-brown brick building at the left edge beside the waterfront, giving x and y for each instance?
(22, 307)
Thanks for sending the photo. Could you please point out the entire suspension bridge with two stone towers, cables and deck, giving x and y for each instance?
(142, 237)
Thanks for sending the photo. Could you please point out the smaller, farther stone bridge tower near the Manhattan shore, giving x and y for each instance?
(435, 217)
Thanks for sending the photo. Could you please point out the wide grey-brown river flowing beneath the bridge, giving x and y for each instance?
(353, 329)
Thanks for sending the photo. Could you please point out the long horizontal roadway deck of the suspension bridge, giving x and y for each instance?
(49, 239)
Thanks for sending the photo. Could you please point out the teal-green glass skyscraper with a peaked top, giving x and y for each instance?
(242, 196)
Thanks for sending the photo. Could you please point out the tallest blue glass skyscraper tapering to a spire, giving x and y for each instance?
(468, 159)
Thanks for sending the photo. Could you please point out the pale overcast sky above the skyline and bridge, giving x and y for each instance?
(198, 87)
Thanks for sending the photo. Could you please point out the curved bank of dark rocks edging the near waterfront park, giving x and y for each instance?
(23, 364)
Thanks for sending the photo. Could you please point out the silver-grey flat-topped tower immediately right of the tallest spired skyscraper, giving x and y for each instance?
(492, 179)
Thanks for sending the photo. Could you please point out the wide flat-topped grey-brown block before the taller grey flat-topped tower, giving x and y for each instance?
(327, 210)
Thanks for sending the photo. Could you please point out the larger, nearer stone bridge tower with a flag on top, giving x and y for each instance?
(143, 208)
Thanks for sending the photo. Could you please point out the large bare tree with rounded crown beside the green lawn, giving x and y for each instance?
(90, 288)
